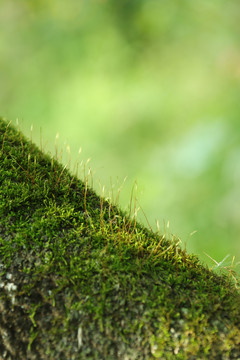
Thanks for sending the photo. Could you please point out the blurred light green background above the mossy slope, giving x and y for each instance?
(150, 89)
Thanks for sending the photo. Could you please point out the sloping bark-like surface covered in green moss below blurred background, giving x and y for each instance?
(82, 279)
